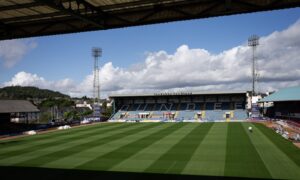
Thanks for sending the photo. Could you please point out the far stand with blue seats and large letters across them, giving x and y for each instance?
(183, 106)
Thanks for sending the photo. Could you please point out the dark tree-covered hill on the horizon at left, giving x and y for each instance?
(20, 92)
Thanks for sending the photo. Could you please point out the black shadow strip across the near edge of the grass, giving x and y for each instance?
(9, 172)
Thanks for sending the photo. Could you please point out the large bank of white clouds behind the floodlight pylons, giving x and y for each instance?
(194, 69)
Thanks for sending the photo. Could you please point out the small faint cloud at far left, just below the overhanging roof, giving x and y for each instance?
(12, 51)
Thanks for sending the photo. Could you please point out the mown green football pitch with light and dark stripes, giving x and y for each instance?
(175, 149)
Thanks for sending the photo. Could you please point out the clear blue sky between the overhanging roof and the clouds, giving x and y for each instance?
(69, 56)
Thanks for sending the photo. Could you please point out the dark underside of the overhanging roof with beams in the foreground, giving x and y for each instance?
(29, 18)
